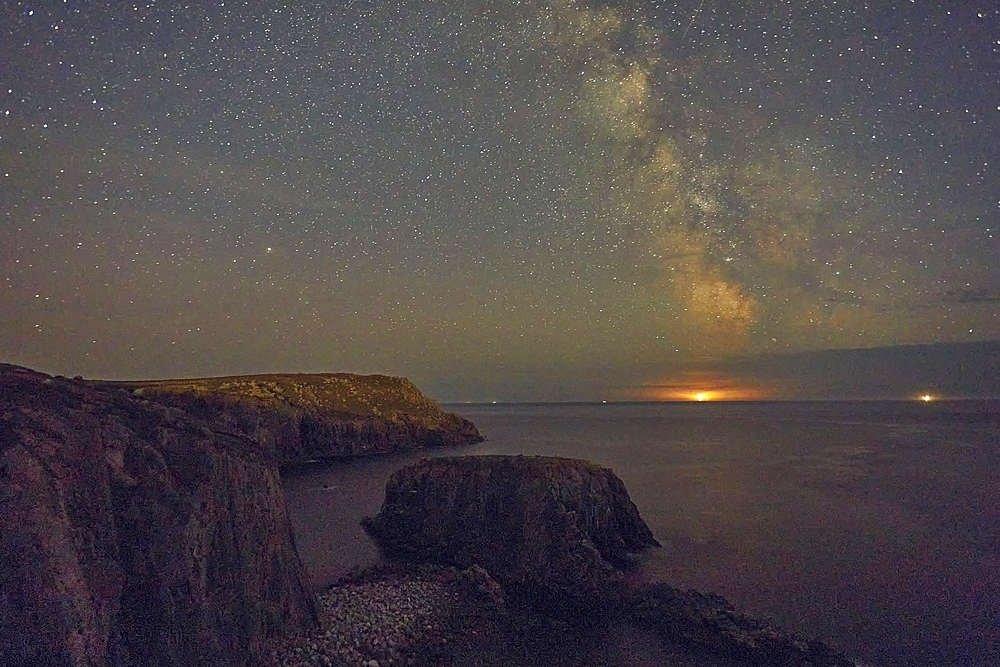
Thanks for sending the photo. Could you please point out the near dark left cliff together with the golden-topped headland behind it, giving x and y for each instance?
(145, 523)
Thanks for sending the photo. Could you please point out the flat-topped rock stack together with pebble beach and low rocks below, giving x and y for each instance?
(567, 579)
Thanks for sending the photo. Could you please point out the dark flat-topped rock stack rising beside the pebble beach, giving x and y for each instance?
(557, 531)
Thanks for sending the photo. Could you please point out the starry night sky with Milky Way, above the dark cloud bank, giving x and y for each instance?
(502, 200)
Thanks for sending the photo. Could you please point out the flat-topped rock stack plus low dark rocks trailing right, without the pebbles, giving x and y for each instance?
(559, 536)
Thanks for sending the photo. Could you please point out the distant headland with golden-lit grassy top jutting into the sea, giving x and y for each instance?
(300, 417)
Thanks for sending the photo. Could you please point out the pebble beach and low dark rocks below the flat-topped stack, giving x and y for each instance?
(401, 615)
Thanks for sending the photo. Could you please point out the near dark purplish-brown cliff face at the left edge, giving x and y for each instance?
(134, 533)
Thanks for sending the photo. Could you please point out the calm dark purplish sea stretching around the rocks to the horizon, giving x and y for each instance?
(875, 525)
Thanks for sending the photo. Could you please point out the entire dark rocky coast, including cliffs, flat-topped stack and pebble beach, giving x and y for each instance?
(145, 523)
